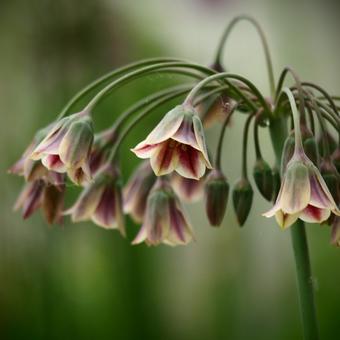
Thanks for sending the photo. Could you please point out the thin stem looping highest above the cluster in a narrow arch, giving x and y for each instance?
(263, 41)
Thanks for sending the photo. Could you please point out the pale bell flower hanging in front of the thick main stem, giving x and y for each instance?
(303, 194)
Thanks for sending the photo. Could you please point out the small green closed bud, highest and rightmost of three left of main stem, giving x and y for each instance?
(263, 177)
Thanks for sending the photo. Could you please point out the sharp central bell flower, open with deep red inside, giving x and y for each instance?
(176, 143)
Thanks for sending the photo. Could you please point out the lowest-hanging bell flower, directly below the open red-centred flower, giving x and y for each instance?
(164, 219)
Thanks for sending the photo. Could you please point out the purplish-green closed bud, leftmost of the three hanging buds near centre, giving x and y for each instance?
(216, 197)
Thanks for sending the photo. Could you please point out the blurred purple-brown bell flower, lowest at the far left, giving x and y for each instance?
(40, 194)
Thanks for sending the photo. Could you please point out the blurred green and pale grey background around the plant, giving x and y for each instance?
(82, 282)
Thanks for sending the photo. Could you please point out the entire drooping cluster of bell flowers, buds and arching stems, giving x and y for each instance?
(177, 165)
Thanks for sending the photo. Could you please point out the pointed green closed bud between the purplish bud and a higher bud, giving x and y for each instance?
(242, 199)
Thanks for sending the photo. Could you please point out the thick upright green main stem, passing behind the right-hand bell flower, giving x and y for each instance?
(278, 133)
